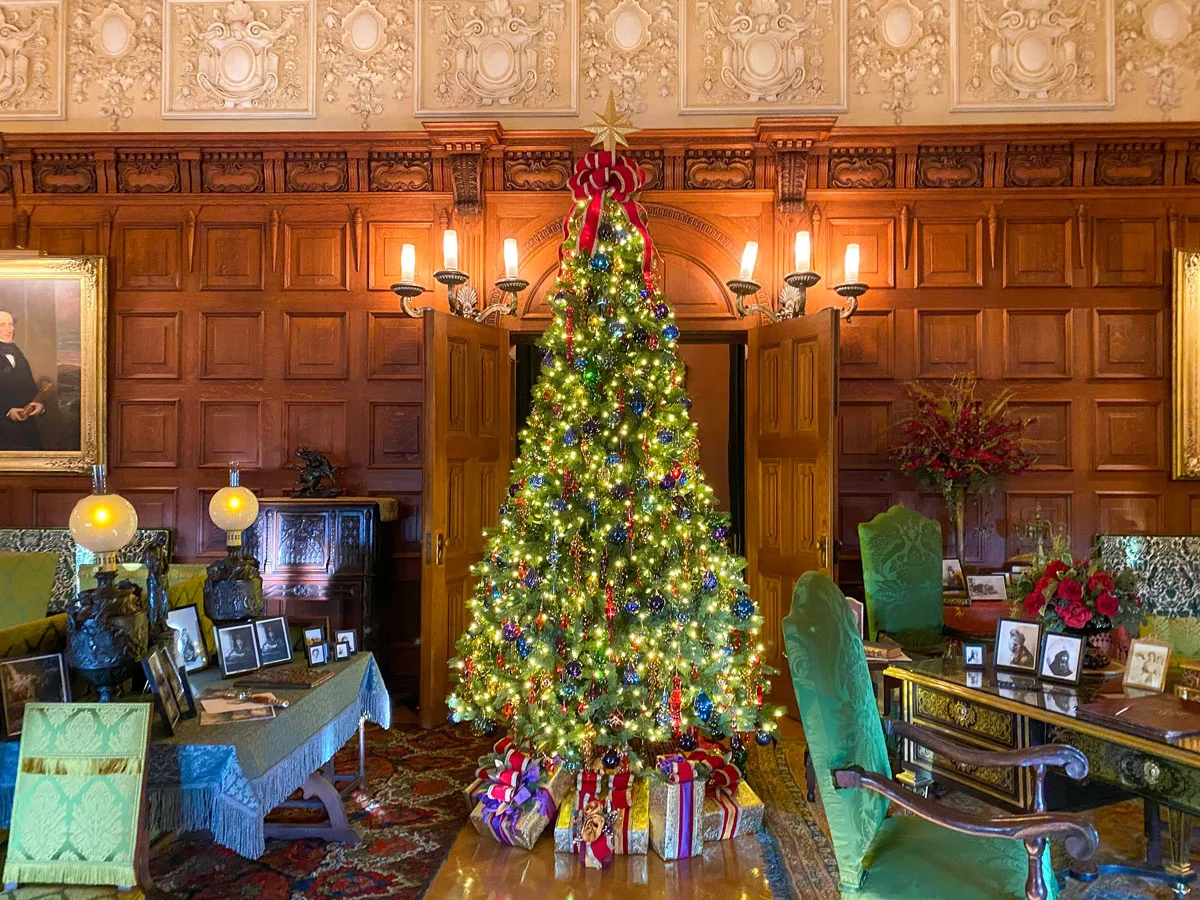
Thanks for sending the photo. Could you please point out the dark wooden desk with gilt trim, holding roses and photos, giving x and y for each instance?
(1003, 711)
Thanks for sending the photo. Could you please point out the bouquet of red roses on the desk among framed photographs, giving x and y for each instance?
(1082, 595)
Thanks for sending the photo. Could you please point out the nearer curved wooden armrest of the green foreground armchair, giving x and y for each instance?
(1076, 832)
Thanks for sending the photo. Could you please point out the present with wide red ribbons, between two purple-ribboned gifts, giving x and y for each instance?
(609, 815)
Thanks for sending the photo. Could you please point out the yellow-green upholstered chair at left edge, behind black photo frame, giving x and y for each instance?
(27, 583)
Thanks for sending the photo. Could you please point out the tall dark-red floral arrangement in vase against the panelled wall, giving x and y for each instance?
(962, 443)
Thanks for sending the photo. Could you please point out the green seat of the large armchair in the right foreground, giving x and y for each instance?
(915, 860)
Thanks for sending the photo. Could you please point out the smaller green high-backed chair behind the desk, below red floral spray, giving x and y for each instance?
(903, 579)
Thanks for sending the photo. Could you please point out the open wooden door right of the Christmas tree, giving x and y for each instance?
(791, 469)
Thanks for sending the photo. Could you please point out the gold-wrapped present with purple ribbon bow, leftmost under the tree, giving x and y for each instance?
(521, 799)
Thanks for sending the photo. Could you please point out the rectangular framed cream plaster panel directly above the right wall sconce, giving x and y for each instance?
(746, 56)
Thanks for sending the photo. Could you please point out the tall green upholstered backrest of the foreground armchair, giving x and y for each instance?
(839, 712)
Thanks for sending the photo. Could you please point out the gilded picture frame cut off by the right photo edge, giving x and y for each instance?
(1186, 367)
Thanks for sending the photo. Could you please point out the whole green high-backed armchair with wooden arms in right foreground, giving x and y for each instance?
(935, 854)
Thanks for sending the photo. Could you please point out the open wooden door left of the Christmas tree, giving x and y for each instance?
(467, 443)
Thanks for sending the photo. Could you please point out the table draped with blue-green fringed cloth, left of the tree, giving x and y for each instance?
(226, 778)
